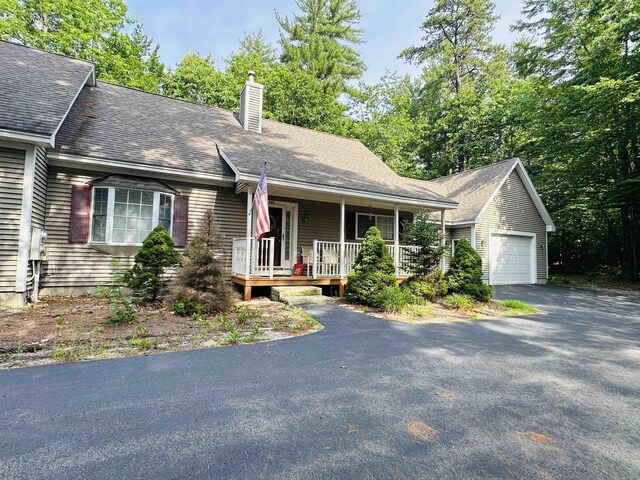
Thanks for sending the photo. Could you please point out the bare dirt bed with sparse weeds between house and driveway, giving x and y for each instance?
(60, 329)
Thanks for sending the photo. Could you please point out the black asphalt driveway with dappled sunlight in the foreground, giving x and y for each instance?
(337, 404)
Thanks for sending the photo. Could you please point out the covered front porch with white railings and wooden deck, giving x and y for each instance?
(315, 239)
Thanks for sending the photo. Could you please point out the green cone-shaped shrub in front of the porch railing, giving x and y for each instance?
(372, 272)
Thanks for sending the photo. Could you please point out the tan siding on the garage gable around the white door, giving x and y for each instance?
(512, 209)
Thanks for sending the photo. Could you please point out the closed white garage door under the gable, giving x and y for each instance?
(511, 259)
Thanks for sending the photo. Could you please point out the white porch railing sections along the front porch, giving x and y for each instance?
(325, 260)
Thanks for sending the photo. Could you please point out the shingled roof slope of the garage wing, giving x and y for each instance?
(472, 189)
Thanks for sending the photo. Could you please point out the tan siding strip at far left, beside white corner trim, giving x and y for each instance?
(11, 181)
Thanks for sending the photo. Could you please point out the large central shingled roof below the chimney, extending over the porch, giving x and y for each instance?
(123, 124)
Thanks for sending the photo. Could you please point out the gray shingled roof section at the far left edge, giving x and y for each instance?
(37, 88)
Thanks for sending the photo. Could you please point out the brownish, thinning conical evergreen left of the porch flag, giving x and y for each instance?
(200, 285)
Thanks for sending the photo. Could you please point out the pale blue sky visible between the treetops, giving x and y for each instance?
(215, 26)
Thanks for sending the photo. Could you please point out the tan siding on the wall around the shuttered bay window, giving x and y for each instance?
(78, 265)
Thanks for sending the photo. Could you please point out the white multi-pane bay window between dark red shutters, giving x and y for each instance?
(125, 216)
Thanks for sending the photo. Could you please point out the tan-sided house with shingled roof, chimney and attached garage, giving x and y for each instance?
(89, 168)
